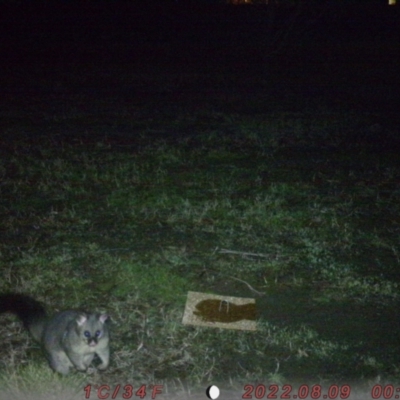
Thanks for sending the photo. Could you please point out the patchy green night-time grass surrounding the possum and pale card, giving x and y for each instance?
(130, 228)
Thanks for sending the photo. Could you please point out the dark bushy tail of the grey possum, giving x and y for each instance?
(30, 311)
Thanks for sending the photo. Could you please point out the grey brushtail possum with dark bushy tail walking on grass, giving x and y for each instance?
(69, 338)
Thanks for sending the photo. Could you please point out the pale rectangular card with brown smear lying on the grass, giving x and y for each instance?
(216, 311)
